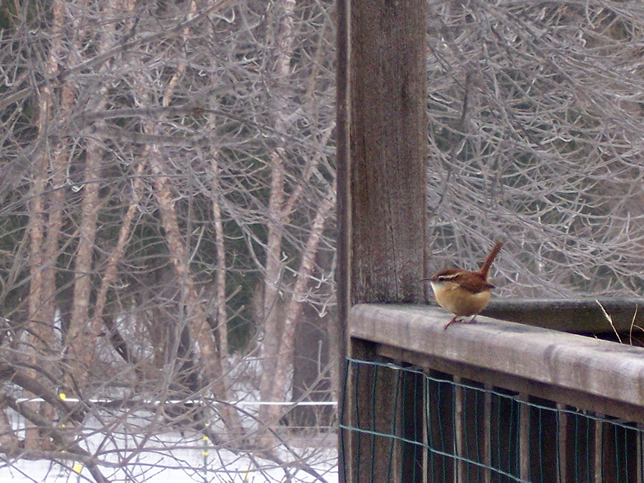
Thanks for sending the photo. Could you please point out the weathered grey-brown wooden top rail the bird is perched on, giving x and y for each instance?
(595, 367)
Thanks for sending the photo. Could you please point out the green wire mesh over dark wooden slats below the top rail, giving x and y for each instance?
(456, 430)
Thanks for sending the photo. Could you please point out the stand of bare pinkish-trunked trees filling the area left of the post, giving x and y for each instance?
(163, 165)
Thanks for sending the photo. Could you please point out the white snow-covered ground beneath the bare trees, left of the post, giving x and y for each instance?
(172, 457)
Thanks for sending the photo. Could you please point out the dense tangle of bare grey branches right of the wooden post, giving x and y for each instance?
(535, 114)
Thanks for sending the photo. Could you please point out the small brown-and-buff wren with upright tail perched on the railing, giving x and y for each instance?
(464, 293)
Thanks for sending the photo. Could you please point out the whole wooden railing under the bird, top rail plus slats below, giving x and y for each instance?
(507, 401)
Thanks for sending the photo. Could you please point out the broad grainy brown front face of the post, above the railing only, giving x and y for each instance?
(388, 139)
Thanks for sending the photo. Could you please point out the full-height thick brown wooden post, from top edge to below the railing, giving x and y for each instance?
(381, 196)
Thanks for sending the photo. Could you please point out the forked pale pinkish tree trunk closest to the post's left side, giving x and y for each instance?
(279, 329)
